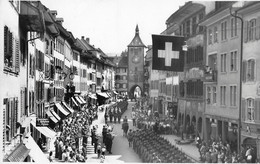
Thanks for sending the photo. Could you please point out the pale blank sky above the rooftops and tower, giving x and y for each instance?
(110, 24)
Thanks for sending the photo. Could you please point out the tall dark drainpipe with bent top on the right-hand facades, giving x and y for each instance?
(236, 5)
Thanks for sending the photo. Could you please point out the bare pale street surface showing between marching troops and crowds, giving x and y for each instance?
(121, 152)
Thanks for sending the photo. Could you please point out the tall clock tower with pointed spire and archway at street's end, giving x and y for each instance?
(135, 64)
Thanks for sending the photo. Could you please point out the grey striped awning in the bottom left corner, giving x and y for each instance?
(18, 154)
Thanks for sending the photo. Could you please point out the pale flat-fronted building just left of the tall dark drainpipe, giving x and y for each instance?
(222, 75)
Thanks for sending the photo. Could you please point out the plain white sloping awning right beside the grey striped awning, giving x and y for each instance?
(36, 153)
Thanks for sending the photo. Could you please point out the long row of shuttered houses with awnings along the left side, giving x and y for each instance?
(46, 77)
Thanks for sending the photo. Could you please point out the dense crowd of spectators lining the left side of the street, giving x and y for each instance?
(71, 145)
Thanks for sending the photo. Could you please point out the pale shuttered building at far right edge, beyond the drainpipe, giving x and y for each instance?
(250, 80)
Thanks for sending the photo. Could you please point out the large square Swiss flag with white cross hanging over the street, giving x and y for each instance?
(167, 53)
